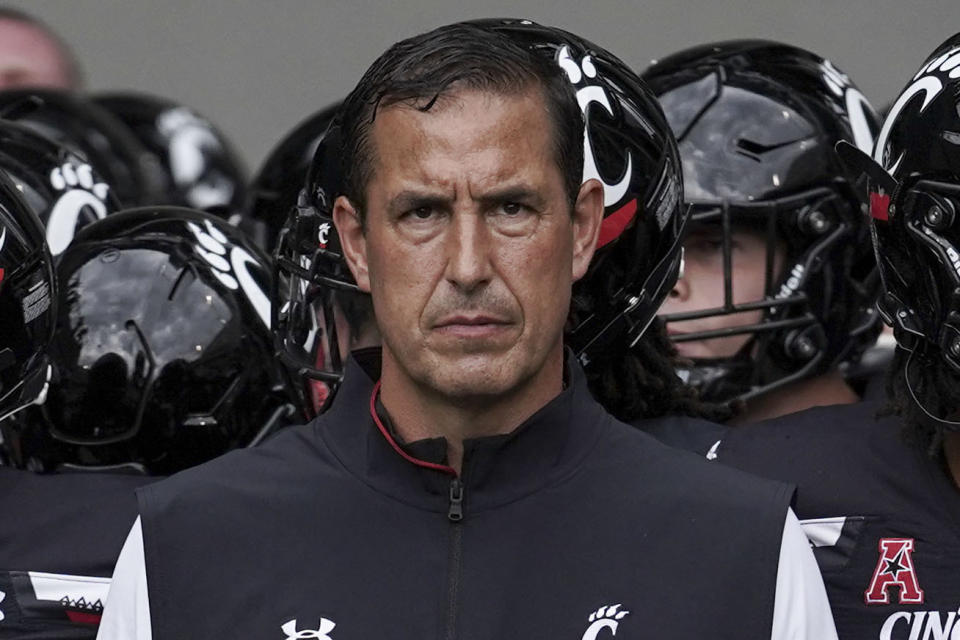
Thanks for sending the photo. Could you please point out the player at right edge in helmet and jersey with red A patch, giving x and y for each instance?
(879, 497)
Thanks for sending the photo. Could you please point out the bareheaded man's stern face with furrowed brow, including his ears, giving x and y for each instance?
(470, 246)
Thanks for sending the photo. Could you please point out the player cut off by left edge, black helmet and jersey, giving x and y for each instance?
(60, 534)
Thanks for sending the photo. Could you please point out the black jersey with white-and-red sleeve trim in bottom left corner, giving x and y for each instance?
(60, 535)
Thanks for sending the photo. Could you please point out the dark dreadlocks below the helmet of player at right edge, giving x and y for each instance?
(937, 388)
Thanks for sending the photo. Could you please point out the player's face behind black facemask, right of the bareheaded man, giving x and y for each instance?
(702, 287)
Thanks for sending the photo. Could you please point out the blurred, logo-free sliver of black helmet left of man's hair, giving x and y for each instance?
(276, 187)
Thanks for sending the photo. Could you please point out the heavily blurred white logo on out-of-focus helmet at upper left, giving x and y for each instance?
(190, 136)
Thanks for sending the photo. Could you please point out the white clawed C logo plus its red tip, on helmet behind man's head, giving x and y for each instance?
(588, 94)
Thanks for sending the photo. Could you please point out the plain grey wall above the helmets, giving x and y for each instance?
(257, 67)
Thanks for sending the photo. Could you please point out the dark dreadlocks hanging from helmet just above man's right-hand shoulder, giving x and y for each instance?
(642, 382)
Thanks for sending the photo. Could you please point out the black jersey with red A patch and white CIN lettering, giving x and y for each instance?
(884, 517)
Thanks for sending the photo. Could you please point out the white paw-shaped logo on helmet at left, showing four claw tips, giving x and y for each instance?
(80, 193)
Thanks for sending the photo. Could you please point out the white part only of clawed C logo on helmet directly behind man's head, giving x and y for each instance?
(580, 76)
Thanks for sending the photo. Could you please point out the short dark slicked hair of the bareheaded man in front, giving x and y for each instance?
(423, 69)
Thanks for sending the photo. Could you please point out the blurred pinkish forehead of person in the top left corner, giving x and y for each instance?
(28, 58)
